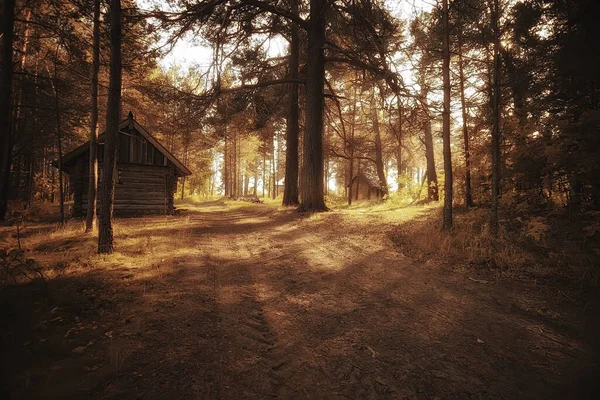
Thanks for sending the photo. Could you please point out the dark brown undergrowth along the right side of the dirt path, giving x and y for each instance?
(547, 247)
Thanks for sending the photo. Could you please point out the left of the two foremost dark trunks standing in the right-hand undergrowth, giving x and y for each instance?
(446, 121)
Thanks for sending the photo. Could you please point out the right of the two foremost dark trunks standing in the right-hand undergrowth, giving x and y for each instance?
(496, 121)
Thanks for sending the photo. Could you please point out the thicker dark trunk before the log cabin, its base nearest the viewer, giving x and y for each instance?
(105, 231)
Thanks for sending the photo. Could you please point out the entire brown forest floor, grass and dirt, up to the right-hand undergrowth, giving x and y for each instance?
(236, 300)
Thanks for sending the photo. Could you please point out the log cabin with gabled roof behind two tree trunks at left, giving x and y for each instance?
(146, 175)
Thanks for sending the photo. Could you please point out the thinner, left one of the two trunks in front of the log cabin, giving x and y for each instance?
(93, 168)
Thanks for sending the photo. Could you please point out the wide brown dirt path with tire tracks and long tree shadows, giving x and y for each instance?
(255, 302)
